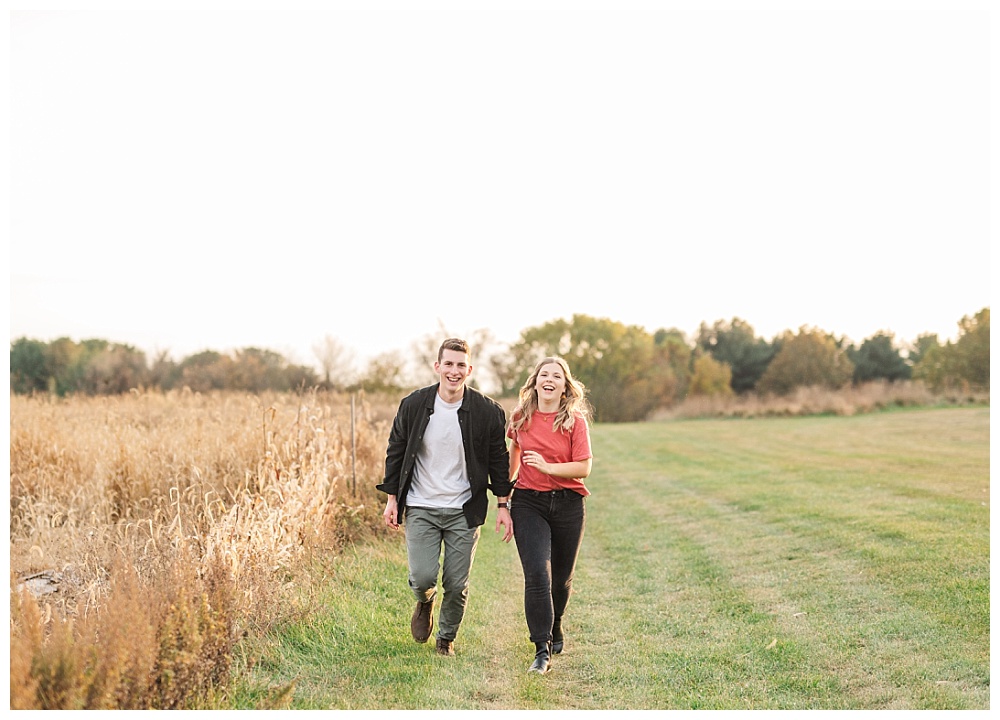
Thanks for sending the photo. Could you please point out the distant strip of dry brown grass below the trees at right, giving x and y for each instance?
(869, 397)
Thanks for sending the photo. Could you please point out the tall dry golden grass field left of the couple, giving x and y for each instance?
(149, 532)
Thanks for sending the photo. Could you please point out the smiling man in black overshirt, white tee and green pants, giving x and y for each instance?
(447, 446)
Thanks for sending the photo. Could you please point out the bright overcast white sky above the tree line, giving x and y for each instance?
(191, 176)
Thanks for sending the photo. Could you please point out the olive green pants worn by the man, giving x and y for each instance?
(428, 531)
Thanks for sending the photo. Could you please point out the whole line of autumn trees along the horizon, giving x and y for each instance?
(629, 371)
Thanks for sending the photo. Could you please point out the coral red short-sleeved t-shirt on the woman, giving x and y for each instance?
(554, 447)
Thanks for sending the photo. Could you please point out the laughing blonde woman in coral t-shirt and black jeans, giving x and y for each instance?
(549, 459)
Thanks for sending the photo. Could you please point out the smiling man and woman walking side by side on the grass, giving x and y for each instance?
(447, 447)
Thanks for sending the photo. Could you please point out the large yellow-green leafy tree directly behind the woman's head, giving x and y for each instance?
(617, 363)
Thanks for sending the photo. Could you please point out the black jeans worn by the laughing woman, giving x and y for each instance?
(548, 531)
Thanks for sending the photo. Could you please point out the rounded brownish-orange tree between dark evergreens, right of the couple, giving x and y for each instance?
(808, 358)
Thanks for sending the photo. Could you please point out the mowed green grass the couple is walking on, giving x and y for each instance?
(827, 563)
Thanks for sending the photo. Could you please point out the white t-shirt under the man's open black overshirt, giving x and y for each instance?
(440, 477)
